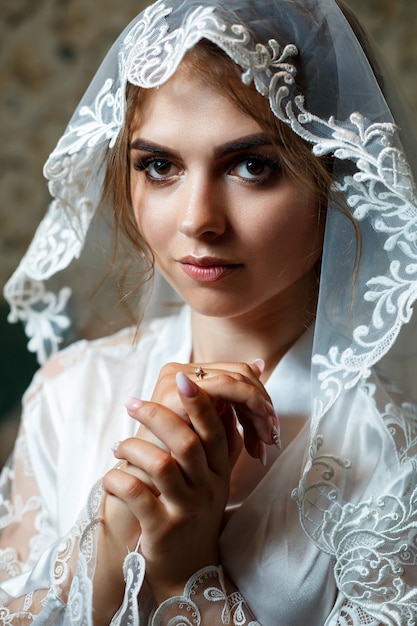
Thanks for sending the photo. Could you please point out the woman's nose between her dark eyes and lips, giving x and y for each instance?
(201, 210)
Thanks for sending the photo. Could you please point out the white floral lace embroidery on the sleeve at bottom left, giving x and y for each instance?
(77, 547)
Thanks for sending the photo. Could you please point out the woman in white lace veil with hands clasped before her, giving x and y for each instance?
(258, 165)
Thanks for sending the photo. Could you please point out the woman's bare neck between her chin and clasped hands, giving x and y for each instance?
(267, 332)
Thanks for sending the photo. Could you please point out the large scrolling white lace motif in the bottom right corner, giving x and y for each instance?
(374, 544)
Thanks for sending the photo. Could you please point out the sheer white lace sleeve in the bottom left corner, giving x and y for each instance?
(41, 574)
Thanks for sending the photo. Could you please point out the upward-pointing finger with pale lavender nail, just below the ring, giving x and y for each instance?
(206, 422)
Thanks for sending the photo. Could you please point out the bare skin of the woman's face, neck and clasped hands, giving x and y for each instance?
(238, 240)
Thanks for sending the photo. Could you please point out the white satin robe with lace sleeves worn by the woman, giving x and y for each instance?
(73, 414)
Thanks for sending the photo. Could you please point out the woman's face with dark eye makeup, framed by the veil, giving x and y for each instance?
(229, 230)
